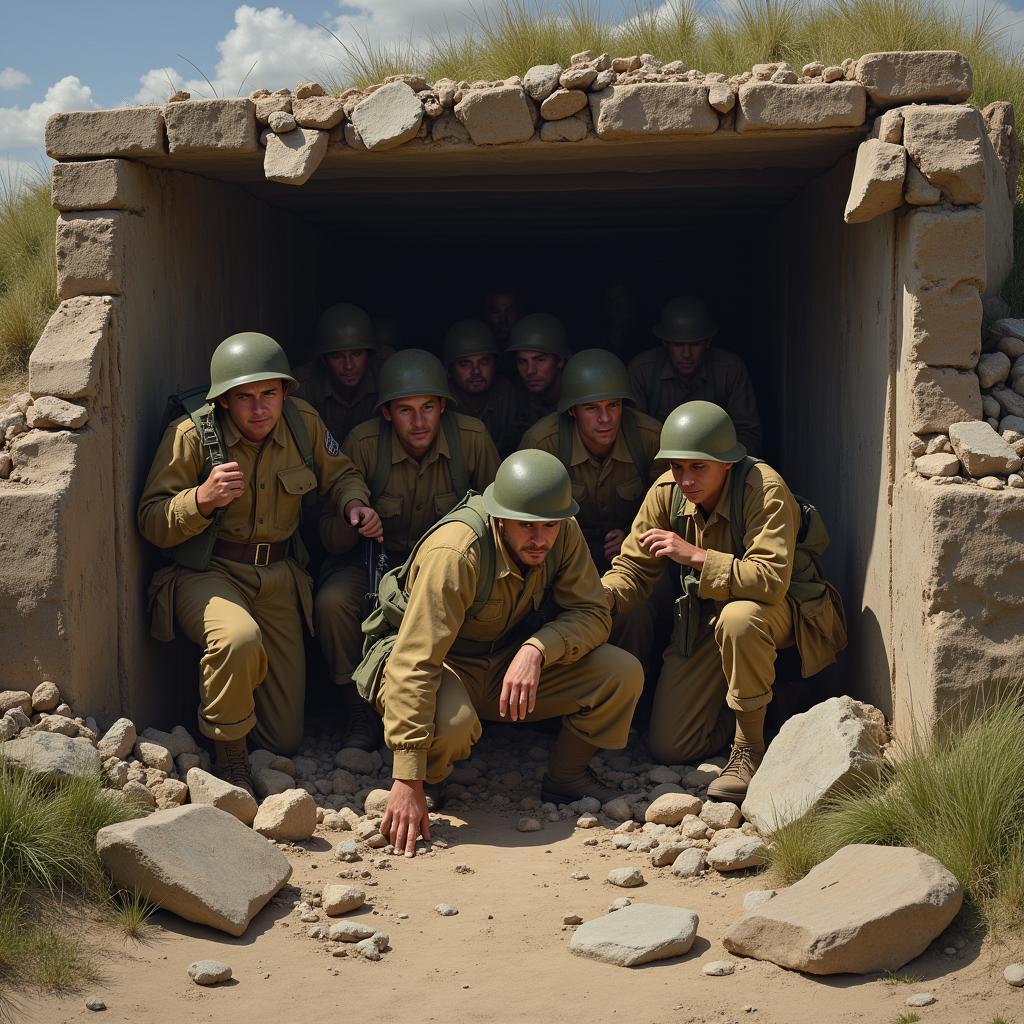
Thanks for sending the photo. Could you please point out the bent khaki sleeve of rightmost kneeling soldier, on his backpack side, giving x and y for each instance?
(763, 574)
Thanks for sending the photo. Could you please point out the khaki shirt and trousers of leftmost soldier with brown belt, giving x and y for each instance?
(247, 619)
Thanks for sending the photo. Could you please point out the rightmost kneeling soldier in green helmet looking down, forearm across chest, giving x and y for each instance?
(735, 613)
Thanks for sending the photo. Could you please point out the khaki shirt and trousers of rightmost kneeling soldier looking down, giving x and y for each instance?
(748, 617)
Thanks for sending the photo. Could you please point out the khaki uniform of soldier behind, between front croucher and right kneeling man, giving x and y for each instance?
(610, 492)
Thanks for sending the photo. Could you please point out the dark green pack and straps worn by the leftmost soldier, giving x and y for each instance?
(197, 551)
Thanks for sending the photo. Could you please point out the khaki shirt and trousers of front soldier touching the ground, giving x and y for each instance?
(433, 700)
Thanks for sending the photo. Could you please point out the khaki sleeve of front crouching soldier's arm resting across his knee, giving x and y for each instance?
(584, 622)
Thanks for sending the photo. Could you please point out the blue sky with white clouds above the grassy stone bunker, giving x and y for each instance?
(57, 55)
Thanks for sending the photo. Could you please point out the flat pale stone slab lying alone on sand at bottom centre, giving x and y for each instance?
(637, 934)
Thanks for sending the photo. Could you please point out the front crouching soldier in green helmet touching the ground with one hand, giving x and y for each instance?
(451, 666)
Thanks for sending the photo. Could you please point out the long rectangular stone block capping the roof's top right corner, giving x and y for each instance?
(916, 76)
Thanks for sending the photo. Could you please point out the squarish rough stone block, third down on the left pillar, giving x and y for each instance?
(91, 253)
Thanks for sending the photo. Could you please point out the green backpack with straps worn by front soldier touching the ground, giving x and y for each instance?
(380, 629)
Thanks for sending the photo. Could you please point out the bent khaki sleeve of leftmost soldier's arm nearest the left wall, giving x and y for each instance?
(168, 515)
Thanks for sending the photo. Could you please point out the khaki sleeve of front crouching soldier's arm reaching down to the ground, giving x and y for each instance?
(443, 584)
